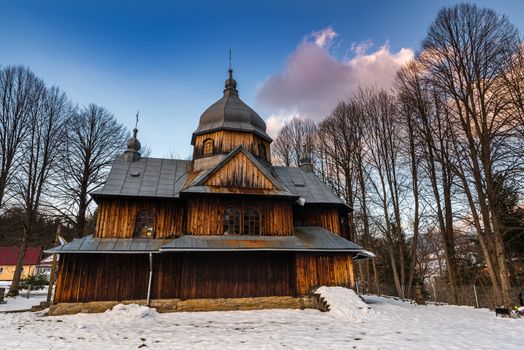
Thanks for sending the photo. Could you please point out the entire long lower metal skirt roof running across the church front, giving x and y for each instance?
(304, 239)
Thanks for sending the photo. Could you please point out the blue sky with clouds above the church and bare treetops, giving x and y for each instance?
(169, 59)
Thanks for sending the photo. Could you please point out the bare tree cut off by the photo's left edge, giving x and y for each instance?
(19, 91)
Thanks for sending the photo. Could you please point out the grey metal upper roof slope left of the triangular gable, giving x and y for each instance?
(146, 177)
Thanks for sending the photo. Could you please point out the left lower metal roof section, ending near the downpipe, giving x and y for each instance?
(89, 244)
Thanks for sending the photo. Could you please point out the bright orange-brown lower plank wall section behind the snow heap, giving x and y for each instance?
(323, 269)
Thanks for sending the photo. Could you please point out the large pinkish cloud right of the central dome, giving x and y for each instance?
(314, 81)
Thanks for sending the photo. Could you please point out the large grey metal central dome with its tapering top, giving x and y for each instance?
(231, 113)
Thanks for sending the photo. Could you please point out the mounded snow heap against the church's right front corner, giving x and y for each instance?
(344, 303)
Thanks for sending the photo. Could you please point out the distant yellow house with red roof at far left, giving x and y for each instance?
(8, 256)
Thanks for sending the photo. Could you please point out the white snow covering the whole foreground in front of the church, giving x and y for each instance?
(389, 324)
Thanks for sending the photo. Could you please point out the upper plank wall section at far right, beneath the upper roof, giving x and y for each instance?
(324, 216)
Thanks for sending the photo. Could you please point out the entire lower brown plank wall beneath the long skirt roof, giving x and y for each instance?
(195, 275)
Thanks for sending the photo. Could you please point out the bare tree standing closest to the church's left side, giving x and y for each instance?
(93, 139)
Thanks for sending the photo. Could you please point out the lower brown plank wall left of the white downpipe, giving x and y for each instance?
(101, 277)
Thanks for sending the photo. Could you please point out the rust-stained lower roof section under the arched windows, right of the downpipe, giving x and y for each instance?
(305, 238)
